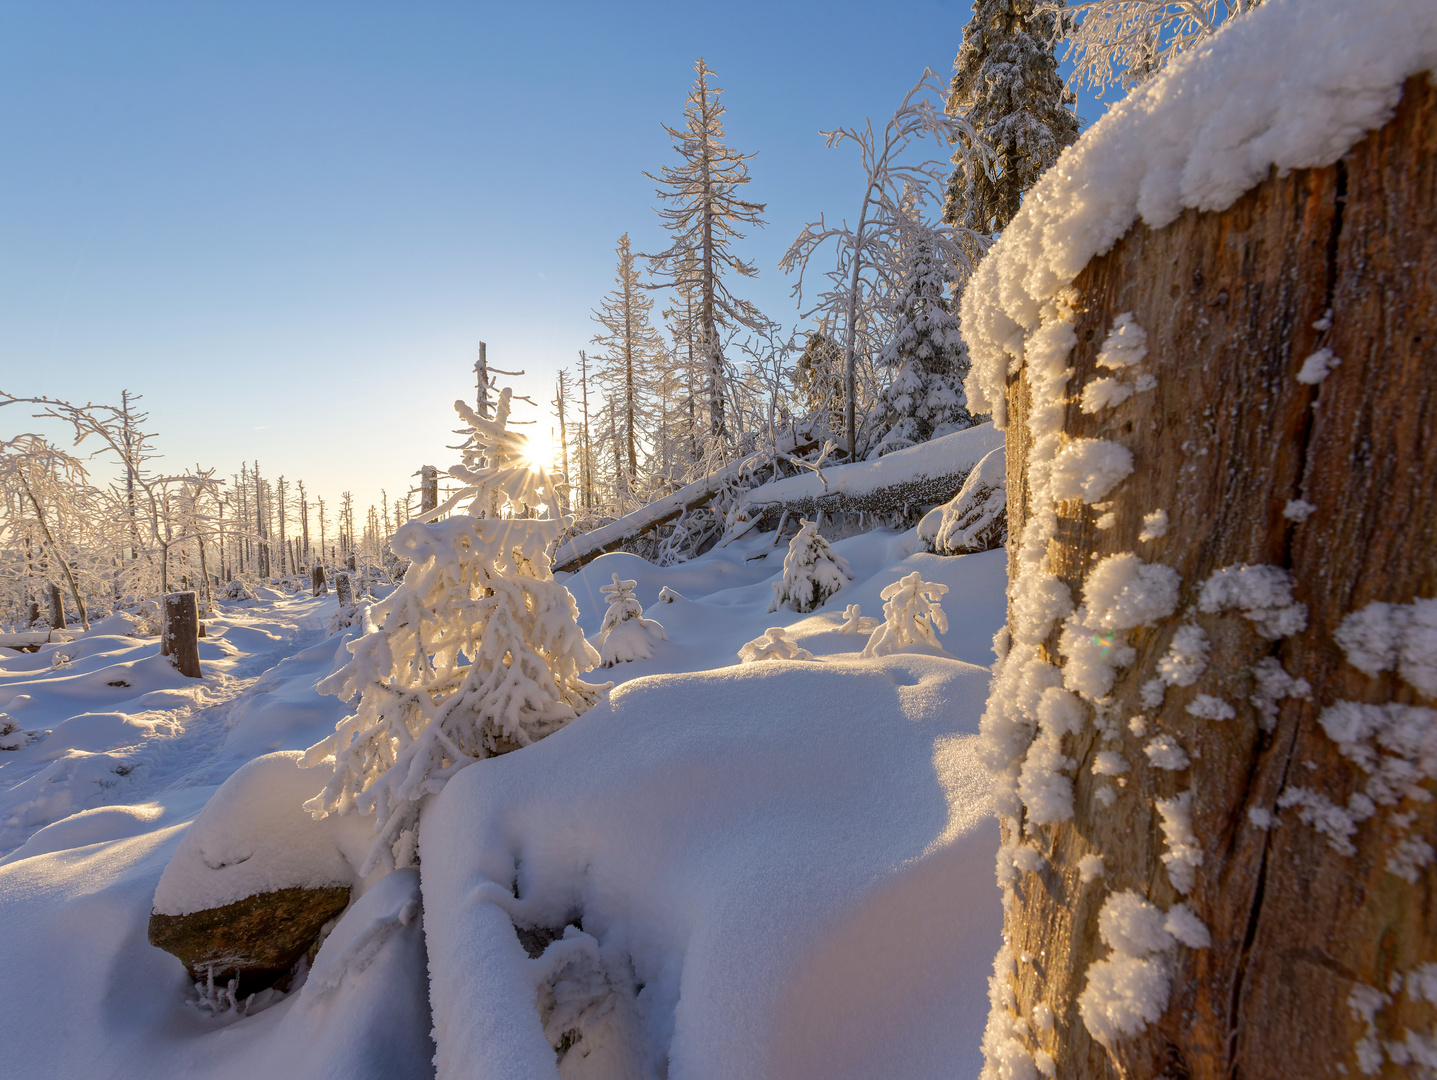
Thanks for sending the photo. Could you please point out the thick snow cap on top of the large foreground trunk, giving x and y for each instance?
(1199, 136)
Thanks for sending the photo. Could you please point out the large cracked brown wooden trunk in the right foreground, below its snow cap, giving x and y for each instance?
(1313, 874)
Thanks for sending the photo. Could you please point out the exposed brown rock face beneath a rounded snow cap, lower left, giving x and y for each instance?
(258, 940)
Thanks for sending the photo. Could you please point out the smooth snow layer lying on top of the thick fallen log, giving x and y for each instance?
(942, 457)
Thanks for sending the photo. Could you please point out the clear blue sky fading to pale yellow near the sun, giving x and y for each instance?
(290, 225)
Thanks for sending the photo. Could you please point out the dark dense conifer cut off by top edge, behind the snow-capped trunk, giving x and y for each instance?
(1007, 85)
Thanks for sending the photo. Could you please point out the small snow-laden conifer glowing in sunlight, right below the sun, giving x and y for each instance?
(478, 653)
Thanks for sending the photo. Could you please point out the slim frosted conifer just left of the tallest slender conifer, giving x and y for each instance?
(633, 355)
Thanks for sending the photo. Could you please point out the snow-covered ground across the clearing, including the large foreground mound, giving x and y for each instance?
(780, 868)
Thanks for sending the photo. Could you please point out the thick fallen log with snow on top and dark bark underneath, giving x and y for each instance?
(922, 476)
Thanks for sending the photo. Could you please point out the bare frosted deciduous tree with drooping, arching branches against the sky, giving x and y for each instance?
(870, 255)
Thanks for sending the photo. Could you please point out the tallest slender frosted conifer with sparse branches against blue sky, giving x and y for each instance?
(703, 218)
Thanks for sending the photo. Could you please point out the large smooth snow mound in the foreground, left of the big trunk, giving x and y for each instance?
(705, 828)
